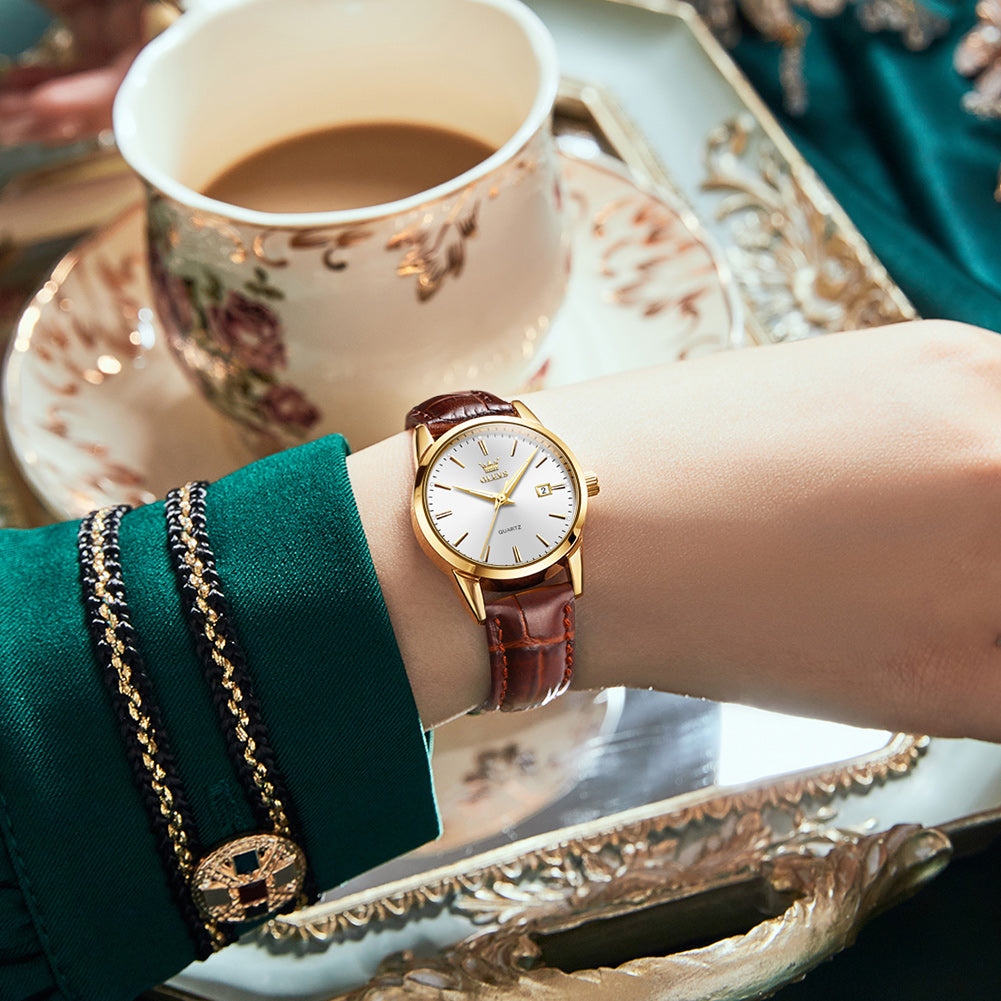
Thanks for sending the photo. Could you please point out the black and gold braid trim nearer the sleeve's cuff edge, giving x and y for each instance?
(235, 700)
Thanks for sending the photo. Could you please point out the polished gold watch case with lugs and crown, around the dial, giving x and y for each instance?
(469, 574)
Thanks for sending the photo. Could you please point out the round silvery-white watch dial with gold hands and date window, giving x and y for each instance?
(502, 495)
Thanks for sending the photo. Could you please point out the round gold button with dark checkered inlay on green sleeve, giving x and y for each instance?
(250, 877)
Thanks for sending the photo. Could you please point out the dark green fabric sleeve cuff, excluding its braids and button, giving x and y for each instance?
(86, 912)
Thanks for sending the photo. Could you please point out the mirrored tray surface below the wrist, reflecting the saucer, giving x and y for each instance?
(506, 778)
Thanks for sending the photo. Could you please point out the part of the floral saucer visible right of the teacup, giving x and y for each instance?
(647, 285)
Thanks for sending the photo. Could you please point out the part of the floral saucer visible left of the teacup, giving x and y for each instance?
(97, 411)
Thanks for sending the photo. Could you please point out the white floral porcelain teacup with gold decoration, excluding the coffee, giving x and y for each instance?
(301, 324)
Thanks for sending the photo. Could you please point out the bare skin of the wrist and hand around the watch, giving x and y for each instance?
(810, 527)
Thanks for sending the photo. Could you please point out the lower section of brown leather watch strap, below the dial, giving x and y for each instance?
(531, 641)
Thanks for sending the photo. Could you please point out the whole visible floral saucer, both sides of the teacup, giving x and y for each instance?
(98, 413)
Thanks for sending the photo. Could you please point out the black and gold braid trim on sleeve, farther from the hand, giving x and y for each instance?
(150, 755)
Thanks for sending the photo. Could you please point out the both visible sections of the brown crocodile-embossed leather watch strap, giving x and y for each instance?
(530, 633)
